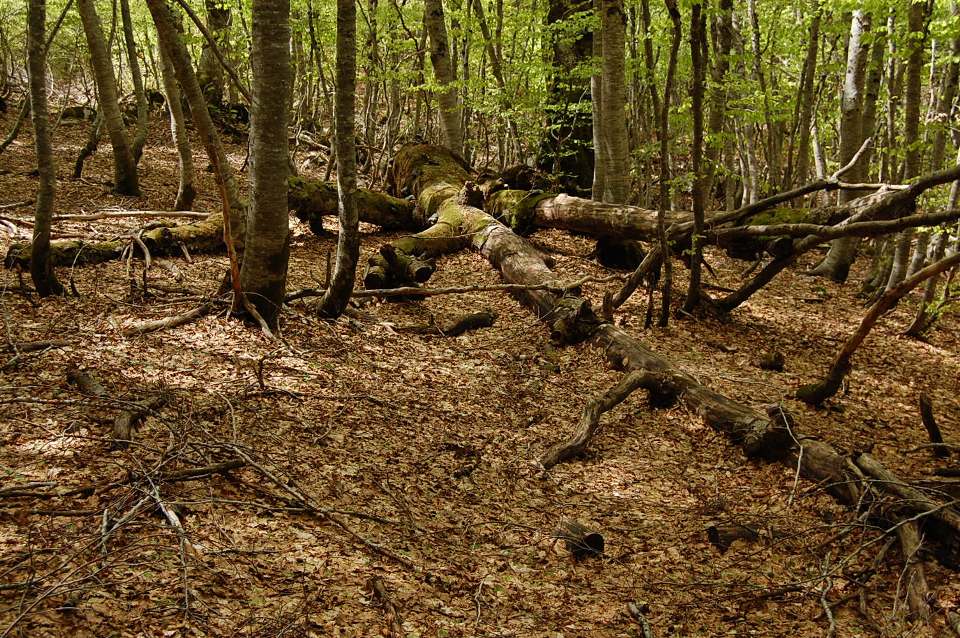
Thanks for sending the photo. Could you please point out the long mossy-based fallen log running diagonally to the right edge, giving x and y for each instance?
(431, 175)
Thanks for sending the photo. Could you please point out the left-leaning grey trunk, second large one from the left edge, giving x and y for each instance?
(125, 167)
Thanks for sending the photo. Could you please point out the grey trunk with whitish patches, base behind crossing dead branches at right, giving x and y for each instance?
(843, 252)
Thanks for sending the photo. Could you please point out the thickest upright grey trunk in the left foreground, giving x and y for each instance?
(263, 274)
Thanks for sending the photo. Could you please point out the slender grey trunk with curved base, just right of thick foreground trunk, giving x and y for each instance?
(338, 293)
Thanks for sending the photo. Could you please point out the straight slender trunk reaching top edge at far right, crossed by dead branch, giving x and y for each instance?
(917, 23)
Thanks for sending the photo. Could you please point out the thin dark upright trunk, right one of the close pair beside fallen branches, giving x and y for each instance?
(698, 61)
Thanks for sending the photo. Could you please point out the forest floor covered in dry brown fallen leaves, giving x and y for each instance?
(417, 455)
